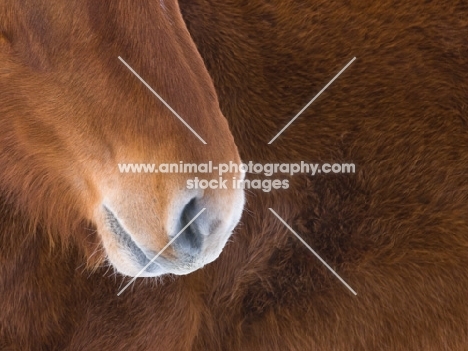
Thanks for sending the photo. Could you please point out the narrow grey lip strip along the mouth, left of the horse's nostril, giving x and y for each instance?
(127, 243)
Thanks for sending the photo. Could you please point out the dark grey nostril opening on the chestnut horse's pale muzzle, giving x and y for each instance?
(190, 241)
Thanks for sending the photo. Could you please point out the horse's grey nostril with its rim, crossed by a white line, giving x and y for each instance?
(189, 231)
